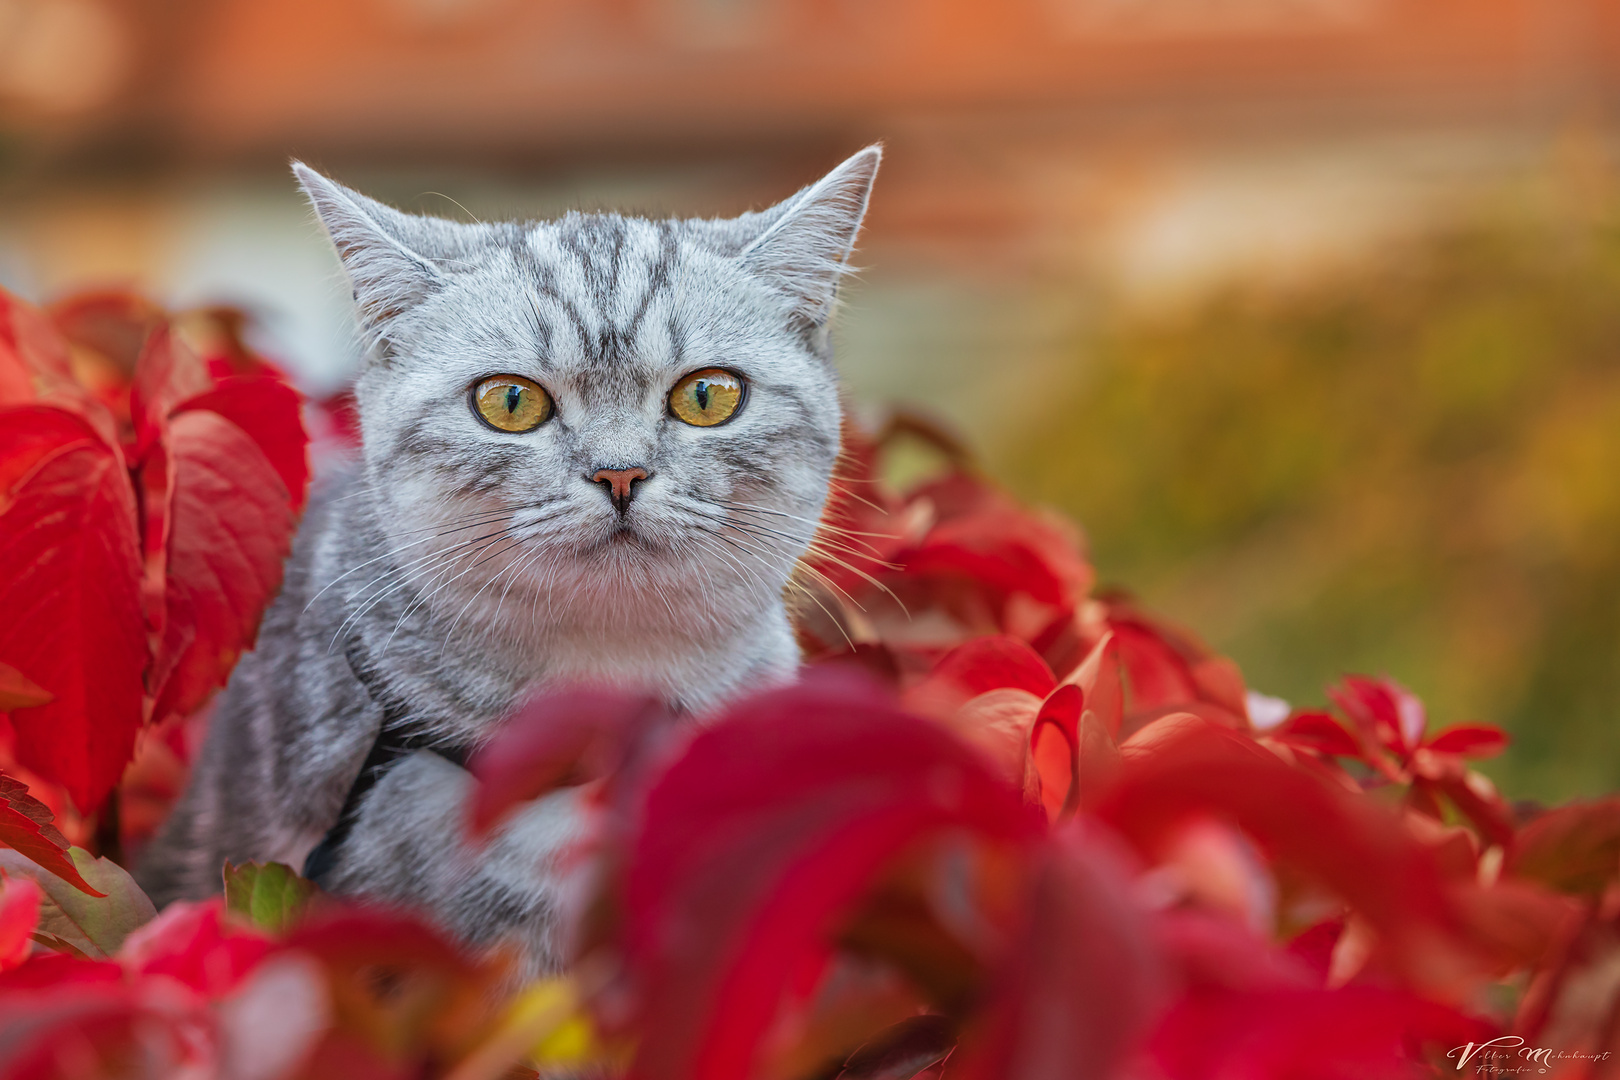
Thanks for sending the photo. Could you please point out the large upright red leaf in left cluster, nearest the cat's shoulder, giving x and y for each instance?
(231, 529)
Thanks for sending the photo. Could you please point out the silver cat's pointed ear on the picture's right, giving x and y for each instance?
(806, 250)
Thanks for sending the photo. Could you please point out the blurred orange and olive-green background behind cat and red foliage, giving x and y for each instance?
(1308, 310)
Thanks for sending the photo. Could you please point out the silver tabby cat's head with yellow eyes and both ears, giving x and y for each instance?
(608, 422)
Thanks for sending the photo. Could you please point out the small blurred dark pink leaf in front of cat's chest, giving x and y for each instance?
(560, 739)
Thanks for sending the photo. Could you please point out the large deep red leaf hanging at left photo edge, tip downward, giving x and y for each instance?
(72, 600)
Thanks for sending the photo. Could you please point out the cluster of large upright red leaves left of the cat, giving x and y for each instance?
(145, 512)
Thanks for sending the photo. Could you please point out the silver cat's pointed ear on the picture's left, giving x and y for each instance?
(390, 257)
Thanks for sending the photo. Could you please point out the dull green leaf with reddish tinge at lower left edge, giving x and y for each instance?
(95, 927)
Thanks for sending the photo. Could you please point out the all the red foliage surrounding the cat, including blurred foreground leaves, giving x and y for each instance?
(1007, 828)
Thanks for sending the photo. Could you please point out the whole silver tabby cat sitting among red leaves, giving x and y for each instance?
(592, 449)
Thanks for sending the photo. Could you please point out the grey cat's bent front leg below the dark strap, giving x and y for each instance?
(409, 848)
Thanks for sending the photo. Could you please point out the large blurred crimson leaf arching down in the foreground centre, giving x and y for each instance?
(757, 840)
